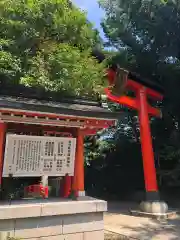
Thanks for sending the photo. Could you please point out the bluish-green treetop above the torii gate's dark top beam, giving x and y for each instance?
(145, 33)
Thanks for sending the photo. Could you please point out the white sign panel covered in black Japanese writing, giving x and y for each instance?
(37, 156)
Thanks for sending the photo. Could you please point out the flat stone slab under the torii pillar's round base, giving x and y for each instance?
(168, 215)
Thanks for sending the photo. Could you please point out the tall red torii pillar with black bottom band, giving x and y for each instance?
(147, 149)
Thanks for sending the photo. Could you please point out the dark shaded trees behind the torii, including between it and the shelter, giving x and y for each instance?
(145, 35)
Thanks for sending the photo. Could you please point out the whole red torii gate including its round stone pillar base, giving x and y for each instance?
(140, 103)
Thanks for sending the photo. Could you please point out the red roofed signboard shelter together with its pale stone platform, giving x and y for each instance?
(41, 138)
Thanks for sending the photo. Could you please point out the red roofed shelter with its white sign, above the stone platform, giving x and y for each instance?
(21, 114)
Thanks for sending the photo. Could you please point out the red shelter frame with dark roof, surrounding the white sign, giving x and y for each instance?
(22, 114)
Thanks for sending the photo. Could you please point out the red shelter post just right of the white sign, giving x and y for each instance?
(78, 179)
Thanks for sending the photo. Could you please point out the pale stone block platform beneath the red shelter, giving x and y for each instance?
(53, 220)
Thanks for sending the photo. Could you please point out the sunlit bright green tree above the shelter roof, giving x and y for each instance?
(48, 43)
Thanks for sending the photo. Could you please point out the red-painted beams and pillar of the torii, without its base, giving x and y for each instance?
(141, 104)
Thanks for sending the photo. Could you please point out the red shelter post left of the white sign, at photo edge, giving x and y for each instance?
(2, 142)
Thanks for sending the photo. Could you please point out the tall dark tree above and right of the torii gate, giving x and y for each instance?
(146, 36)
